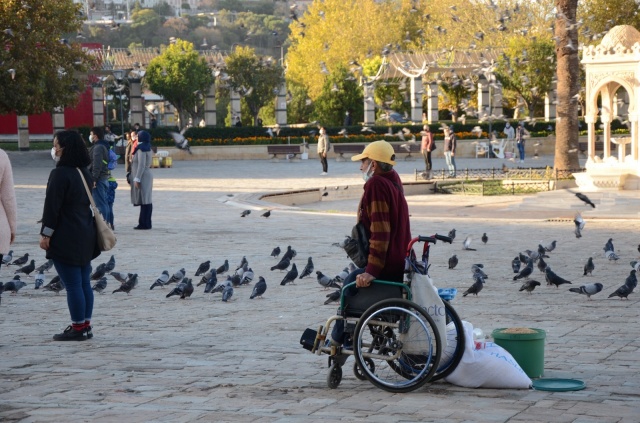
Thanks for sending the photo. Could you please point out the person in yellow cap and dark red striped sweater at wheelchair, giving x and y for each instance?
(384, 213)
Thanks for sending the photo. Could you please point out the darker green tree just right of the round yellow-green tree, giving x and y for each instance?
(255, 79)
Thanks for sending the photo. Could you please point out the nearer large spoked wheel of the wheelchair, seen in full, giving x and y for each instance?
(400, 338)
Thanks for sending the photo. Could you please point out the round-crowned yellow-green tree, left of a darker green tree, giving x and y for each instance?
(182, 77)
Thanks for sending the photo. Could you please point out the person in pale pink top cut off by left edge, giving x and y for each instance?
(8, 205)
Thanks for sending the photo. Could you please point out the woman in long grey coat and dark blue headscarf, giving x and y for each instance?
(142, 179)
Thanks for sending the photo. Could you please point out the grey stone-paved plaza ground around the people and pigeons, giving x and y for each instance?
(164, 359)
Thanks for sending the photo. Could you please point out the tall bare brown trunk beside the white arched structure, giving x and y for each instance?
(566, 33)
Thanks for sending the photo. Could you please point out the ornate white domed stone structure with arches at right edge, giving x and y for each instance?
(613, 75)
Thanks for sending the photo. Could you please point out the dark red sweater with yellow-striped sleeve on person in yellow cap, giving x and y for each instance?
(384, 211)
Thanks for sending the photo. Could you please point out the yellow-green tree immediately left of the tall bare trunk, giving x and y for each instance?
(528, 68)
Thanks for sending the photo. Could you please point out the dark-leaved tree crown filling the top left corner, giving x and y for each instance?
(39, 69)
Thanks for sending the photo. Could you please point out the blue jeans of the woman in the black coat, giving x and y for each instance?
(79, 293)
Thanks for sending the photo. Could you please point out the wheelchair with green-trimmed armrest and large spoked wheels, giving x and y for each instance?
(395, 342)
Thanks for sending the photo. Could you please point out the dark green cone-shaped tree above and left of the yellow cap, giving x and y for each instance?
(340, 94)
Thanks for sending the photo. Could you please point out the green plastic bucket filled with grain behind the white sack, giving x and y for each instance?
(526, 348)
